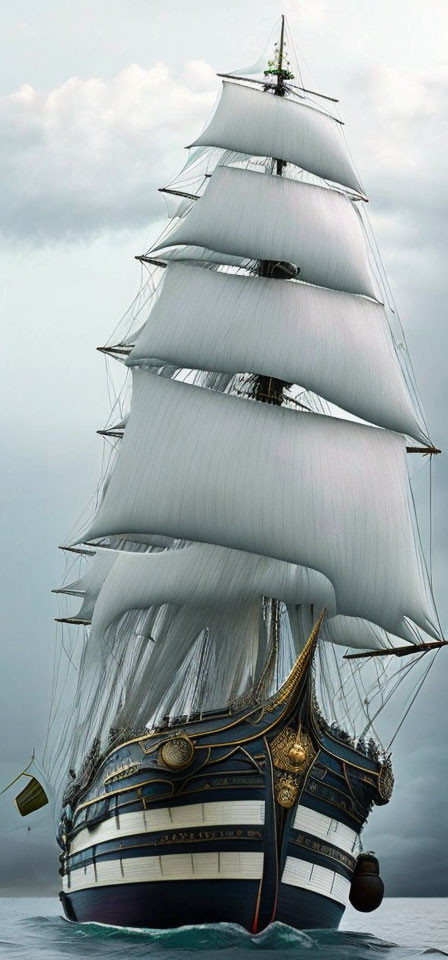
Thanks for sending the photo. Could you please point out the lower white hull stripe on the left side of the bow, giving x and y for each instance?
(185, 866)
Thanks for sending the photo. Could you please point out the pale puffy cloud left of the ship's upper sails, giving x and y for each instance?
(89, 156)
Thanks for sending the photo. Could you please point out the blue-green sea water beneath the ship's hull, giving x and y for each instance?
(33, 929)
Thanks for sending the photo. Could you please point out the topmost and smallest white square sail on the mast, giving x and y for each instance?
(260, 124)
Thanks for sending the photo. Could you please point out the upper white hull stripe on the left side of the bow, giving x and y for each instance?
(220, 813)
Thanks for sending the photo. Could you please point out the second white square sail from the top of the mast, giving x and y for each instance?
(263, 217)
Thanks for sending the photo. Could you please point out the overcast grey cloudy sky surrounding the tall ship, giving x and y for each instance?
(97, 101)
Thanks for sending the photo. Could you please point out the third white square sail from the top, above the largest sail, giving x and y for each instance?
(336, 344)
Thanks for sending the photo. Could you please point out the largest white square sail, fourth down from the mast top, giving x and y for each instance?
(312, 490)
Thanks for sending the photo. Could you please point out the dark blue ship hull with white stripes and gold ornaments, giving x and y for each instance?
(262, 824)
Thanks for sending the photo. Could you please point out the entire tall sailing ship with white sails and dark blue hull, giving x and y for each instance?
(252, 586)
